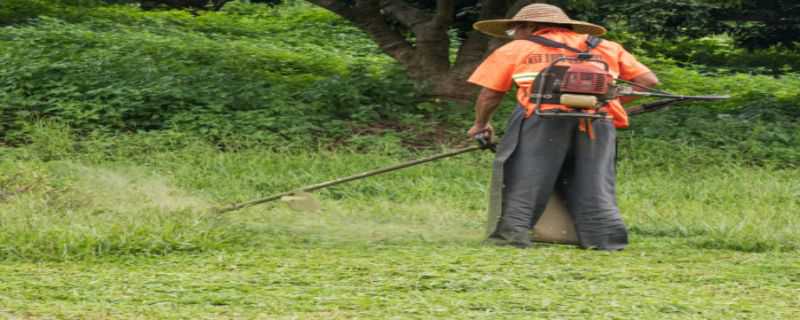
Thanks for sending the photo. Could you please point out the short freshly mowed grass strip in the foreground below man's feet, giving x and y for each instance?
(656, 278)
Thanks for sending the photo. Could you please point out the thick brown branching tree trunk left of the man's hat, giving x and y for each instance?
(427, 58)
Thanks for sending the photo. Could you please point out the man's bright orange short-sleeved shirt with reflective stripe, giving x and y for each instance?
(519, 61)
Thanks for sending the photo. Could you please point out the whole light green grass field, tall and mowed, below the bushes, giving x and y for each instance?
(121, 229)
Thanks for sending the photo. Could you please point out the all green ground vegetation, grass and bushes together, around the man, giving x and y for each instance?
(120, 128)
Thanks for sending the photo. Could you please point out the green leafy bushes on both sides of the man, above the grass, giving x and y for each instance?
(258, 75)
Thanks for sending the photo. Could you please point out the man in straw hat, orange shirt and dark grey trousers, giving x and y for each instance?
(537, 155)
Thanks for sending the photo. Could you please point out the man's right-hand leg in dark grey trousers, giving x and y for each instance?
(589, 187)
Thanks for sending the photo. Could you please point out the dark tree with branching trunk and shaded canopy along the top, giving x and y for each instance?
(434, 40)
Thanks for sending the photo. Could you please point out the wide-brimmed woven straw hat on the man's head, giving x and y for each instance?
(537, 12)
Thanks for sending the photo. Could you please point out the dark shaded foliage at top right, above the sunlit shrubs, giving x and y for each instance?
(754, 24)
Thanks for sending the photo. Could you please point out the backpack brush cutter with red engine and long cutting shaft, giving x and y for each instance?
(580, 86)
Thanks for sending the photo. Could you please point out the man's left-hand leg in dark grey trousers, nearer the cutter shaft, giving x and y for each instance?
(530, 175)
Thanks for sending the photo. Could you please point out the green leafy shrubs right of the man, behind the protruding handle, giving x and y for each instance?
(758, 124)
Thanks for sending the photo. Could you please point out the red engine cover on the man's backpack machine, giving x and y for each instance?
(586, 78)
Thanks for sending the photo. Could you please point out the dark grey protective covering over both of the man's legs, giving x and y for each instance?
(539, 156)
